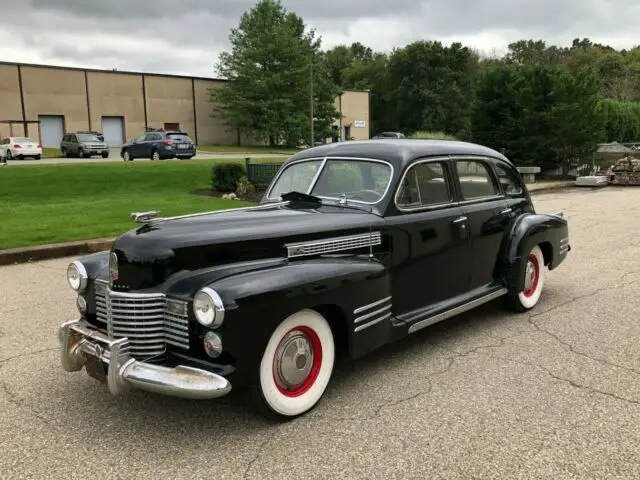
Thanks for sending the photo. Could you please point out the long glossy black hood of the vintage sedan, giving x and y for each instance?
(149, 254)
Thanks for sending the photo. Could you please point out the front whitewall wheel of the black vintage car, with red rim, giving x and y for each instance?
(296, 366)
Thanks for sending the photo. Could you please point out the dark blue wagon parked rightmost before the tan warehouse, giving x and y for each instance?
(158, 145)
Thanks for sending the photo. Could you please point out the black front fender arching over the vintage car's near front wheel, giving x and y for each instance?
(257, 301)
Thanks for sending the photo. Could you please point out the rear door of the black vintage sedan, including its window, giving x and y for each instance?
(487, 216)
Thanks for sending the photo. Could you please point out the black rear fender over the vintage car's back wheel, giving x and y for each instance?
(550, 232)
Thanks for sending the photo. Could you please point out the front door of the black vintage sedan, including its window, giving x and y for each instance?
(430, 257)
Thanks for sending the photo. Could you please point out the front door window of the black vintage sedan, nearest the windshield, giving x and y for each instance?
(425, 184)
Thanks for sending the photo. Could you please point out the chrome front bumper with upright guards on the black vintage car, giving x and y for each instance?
(83, 346)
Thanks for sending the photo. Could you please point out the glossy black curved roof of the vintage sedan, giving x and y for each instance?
(397, 151)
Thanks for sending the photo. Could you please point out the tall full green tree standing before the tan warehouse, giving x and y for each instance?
(272, 67)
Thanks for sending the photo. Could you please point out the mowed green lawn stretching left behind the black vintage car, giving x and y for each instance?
(56, 203)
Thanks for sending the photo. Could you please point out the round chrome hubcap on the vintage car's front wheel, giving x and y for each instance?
(293, 360)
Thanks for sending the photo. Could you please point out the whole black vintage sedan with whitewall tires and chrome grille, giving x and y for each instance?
(354, 245)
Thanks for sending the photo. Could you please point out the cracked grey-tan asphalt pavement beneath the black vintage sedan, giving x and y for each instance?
(489, 394)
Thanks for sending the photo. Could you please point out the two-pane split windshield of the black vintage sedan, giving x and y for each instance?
(359, 180)
